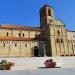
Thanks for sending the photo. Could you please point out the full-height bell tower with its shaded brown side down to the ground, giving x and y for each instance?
(46, 18)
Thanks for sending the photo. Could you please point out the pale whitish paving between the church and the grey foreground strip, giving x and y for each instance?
(28, 63)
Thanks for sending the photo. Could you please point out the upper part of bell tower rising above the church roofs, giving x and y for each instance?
(46, 16)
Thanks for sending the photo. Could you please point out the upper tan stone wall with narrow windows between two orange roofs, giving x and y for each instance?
(18, 33)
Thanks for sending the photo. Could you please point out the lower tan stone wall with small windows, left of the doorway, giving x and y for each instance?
(19, 48)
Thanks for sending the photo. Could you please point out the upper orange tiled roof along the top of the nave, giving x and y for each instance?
(11, 26)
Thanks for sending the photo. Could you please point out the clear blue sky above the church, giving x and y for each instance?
(26, 12)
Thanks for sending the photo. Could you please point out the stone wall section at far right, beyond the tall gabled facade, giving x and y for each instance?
(71, 42)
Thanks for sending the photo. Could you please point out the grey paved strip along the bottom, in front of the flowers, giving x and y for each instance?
(67, 71)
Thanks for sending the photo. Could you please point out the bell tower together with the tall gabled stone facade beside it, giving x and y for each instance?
(54, 32)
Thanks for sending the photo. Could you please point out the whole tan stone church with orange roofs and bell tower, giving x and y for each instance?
(50, 39)
